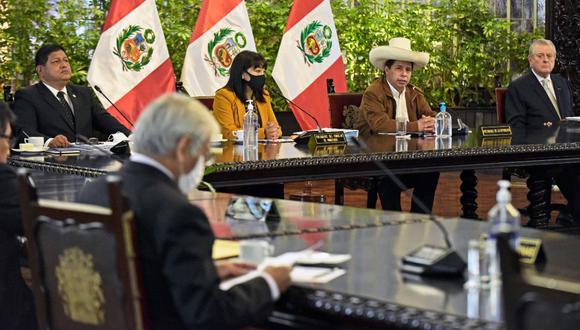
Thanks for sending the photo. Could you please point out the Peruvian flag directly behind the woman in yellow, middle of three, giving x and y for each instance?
(222, 31)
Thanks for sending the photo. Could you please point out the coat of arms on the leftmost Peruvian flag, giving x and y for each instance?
(133, 47)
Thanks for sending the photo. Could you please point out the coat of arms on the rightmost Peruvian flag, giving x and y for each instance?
(315, 42)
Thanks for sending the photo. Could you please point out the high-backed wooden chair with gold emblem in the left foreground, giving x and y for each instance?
(82, 260)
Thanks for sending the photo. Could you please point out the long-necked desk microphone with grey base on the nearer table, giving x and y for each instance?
(427, 259)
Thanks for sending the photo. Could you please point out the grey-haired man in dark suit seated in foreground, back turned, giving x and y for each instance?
(174, 237)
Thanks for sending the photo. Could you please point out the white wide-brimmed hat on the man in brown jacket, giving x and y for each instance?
(398, 49)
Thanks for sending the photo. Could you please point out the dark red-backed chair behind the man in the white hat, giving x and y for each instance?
(344, 116)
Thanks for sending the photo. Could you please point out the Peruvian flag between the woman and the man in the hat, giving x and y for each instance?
(309, 54)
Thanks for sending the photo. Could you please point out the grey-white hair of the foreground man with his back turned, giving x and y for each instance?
(168, 119)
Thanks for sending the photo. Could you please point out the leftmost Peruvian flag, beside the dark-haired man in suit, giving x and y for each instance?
(131, 63)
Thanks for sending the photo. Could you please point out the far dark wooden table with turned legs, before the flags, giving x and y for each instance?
(534, 149)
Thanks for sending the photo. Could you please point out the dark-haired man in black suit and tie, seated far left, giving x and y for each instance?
(57, 110)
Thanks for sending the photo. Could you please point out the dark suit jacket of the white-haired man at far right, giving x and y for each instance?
(528, 105)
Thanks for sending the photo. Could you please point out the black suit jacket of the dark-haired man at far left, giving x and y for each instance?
(39, 113)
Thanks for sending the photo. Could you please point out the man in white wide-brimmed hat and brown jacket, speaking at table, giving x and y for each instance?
(390, 97)
